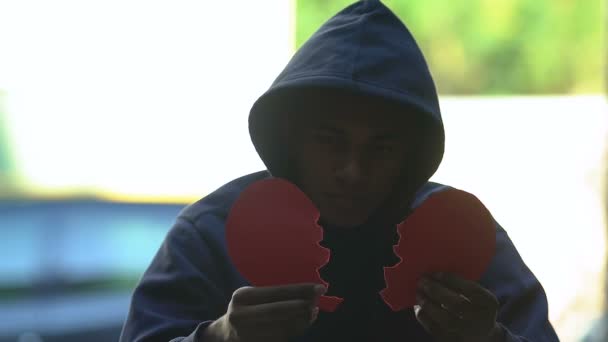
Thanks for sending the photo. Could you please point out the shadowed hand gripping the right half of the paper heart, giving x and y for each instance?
(454, 309)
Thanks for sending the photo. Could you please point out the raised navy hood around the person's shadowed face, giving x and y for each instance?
(363, 54)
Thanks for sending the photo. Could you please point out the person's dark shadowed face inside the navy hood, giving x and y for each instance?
(347, 160)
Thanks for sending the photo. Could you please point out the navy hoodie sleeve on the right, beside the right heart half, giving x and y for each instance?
(523, 311)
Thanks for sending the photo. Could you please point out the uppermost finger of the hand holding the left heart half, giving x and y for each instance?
(260, 295)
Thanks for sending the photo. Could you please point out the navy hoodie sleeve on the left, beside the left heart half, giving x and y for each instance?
(178, 295)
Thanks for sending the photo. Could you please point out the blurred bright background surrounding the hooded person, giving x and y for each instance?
(116, 114)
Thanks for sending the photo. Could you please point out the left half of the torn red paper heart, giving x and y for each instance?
(273, 237)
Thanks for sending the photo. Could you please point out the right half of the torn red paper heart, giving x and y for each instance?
(452, 231)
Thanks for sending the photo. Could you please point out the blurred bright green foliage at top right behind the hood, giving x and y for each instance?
(496, 46)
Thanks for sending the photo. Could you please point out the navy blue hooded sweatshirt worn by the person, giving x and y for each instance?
(367, 53)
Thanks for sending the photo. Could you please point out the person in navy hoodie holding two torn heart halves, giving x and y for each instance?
(354, 122)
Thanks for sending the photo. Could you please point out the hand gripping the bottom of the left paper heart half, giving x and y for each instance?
(269, 314)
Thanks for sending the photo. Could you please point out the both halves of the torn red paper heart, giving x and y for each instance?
(273, 239)
